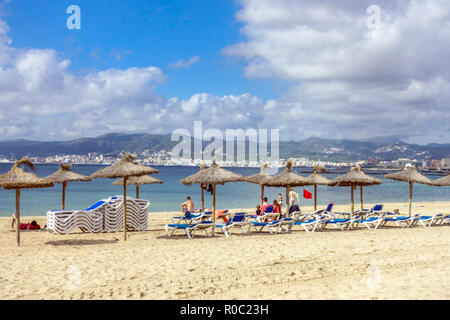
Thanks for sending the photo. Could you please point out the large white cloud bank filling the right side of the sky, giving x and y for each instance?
(352, 82)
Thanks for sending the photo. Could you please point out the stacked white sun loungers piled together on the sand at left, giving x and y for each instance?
(105, 215)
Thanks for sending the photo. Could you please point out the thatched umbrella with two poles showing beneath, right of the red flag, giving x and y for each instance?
(355, 177)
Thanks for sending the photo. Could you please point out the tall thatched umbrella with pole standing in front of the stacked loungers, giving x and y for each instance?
(125, 169)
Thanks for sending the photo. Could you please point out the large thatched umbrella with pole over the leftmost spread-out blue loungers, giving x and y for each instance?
(213, 175)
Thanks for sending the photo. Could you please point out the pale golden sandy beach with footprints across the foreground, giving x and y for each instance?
(389, 263)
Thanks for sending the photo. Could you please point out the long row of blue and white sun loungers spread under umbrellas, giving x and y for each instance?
(319, 220)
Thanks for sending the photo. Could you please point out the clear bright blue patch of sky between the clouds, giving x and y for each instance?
(136, 33)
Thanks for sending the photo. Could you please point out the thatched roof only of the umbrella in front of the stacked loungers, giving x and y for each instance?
(126, 167)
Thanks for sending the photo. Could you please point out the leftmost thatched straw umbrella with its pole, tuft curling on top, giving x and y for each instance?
(18, 179)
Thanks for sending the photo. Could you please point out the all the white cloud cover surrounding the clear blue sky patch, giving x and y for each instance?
(348, 82)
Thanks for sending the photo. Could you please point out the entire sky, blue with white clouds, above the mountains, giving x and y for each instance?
(332, 68)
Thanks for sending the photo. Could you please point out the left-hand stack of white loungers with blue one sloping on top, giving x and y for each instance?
(88, 220)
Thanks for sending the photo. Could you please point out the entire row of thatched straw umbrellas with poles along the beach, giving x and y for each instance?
(131, 172)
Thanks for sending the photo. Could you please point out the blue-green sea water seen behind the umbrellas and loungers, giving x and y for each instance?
(169, 195)
